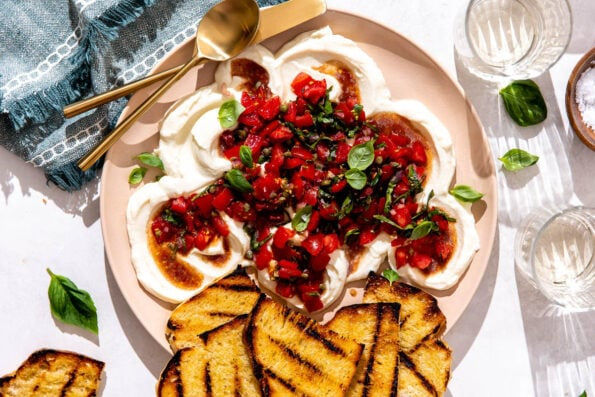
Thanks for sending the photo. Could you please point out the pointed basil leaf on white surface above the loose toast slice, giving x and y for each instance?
(70, 304)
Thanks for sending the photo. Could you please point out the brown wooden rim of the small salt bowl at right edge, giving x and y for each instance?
(582, 130)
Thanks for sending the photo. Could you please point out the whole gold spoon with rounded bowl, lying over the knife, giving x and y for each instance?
(224, 32)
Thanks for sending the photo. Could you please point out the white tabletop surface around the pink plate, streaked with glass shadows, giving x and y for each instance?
(509, 341)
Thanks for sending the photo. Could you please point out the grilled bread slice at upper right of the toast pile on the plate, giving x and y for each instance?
(421, 318)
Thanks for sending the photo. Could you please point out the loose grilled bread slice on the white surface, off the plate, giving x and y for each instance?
(49, 373)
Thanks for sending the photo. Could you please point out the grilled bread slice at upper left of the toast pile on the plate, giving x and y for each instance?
(231, 296)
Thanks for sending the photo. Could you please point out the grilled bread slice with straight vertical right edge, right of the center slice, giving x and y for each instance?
(376, 326)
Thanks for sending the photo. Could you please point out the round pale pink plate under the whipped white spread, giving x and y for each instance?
(409, 72)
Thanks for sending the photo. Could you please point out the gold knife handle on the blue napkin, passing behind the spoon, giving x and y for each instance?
(97, 100)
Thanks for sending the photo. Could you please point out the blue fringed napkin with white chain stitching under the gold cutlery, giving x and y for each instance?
(56, 52)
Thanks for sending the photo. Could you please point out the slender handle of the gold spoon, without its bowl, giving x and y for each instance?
(90, 158)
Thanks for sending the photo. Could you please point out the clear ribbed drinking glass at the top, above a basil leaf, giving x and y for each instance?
(512, 39)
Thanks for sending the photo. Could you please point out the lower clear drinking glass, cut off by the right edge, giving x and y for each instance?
(556, 249)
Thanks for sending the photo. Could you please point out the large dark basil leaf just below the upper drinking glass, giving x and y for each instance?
(524, 103)
